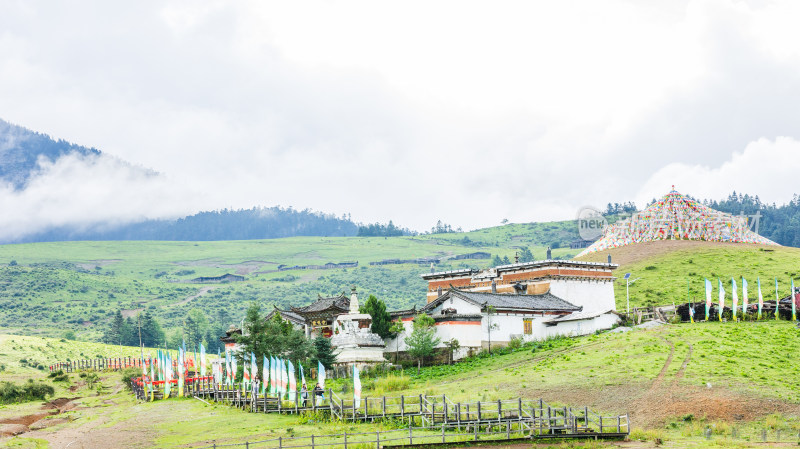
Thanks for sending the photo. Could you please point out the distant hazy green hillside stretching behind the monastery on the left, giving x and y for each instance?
(49, 288)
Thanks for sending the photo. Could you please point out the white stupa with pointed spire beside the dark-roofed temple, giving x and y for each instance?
(353, 338)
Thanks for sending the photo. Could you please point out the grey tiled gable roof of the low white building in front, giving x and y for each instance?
(507, 301)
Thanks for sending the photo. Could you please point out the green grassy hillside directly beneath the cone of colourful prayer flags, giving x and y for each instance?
(666, 267)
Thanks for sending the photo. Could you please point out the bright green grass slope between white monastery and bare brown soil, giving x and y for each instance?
(757, 358)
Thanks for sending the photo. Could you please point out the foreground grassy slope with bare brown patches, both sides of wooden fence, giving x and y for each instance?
(675, 381)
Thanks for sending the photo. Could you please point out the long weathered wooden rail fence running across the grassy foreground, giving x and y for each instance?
(537, 418)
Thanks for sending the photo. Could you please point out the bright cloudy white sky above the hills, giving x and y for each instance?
(416, 111)
